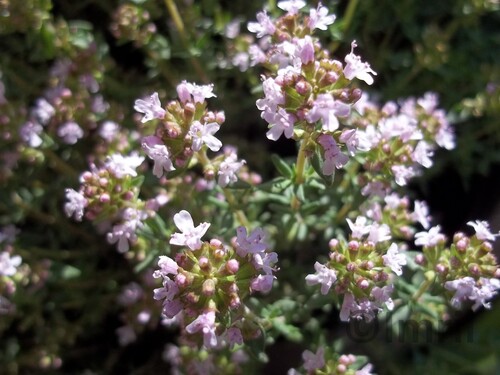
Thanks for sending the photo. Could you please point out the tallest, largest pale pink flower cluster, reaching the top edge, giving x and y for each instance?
(308, 94)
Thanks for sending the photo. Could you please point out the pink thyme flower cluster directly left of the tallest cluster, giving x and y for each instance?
(185, 130)
